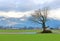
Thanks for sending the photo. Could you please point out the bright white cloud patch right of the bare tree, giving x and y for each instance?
(55, 14)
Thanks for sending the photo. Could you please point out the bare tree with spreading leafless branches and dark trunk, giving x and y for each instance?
(40, 16)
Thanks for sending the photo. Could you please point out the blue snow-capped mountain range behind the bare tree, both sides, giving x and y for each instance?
(21, 22)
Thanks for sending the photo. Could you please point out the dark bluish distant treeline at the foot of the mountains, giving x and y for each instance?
(24, 28)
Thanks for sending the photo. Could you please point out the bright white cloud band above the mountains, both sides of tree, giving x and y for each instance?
(54, 13)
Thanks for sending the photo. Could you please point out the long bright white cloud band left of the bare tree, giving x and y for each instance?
(15, 14)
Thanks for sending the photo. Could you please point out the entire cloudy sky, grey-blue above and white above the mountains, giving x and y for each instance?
(19, 8)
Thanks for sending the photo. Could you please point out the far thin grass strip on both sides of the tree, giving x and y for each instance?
(15, 31)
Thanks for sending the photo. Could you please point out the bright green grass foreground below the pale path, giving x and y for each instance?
(29, 37)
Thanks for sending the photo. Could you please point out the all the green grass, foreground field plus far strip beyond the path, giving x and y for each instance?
(29, 37)
